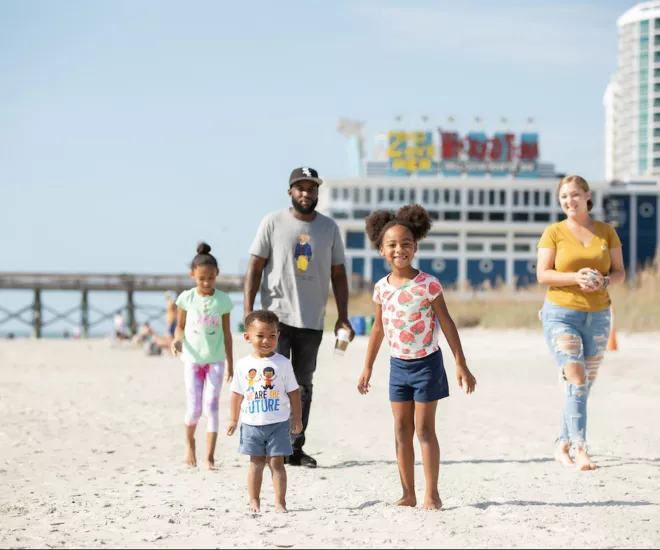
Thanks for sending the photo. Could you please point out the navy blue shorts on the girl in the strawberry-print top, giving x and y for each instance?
(423, 380)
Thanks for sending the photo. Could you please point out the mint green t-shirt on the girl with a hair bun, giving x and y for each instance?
(204, 340)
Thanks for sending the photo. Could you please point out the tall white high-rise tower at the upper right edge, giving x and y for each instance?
(632, 99)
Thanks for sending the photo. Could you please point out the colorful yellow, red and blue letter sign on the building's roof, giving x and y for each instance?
(475, 154)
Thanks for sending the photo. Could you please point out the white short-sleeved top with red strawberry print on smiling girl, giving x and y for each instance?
(408, 318)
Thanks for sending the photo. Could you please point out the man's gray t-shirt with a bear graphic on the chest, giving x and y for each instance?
(296, 279)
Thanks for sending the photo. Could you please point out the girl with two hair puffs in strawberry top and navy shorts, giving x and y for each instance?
(409, 303)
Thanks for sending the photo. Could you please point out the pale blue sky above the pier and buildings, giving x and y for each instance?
(130, 130)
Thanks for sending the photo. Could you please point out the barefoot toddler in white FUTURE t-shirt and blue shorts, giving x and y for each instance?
(265, 390)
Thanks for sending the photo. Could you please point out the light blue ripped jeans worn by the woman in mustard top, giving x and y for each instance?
(577, 339)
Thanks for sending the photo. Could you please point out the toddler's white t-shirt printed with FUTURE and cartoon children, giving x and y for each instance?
(265, 384)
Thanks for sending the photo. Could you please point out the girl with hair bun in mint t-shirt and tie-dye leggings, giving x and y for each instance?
(203, 339)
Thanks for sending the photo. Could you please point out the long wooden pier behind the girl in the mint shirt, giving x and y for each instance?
(86, 282)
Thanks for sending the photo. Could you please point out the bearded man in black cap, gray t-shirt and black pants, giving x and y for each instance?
(299, 253)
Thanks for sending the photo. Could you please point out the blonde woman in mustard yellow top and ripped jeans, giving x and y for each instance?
(579, 258)
